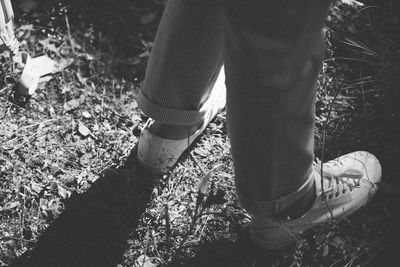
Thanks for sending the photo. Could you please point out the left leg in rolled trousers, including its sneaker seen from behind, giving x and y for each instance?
(184, 87)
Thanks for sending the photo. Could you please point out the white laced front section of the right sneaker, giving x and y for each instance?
(338, 178)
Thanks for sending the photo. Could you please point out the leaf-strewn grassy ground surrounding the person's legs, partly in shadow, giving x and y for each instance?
(62, 205)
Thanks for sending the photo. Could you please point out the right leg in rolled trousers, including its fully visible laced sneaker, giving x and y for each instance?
(273, 54)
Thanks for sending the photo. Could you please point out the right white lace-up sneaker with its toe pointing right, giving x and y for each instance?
(349, 182)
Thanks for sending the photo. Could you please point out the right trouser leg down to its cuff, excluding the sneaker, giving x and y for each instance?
(273, 54)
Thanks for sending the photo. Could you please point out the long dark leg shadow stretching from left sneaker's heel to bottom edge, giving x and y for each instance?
(94, 227)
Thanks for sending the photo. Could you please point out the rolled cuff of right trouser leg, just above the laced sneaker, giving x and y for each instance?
(272, 208)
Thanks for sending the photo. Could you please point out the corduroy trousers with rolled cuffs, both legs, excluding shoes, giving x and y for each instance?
(271, 51)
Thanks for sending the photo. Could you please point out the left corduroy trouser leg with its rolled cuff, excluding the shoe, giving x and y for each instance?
(185, 61)
